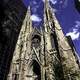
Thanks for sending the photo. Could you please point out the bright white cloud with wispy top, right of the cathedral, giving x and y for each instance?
(75, 34)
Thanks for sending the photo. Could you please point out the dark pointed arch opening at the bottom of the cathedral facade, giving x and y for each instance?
(34, 71)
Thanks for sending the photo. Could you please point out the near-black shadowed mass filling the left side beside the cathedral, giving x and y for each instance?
(12, 14)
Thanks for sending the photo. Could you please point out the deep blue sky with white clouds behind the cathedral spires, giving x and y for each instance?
(66, 13)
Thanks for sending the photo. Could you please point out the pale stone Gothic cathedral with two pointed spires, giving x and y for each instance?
(45, 53)
